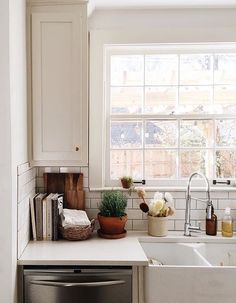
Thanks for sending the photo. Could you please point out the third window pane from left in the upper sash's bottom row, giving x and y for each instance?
(195, 99)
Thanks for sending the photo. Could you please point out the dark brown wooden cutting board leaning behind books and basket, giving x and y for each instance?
(71, 184)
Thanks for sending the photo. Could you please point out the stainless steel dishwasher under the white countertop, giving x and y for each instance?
(50, 284)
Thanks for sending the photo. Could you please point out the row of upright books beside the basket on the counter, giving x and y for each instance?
(45, 210)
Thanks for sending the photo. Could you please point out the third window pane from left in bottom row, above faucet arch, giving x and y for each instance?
(194, 160)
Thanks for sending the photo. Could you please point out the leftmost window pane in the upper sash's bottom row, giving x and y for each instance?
(126, 100)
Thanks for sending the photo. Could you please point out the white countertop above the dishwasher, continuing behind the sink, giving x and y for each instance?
(98, 251)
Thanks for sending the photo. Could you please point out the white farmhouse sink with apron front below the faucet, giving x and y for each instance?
(202, 272)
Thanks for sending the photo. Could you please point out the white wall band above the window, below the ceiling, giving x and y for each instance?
(180, 25)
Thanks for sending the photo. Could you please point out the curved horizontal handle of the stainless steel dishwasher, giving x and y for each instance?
(77, 284)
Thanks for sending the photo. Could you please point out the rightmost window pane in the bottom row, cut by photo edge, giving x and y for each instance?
(226, 164)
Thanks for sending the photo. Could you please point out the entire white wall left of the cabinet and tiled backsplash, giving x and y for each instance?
(13, 135)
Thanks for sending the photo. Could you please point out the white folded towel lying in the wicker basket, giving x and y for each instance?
(74, 217)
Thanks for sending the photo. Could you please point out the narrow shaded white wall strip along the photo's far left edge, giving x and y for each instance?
(6, 257)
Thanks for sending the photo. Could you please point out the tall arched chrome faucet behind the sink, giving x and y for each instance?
(188, 228)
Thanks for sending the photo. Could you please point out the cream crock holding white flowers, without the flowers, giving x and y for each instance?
(157, 226)
